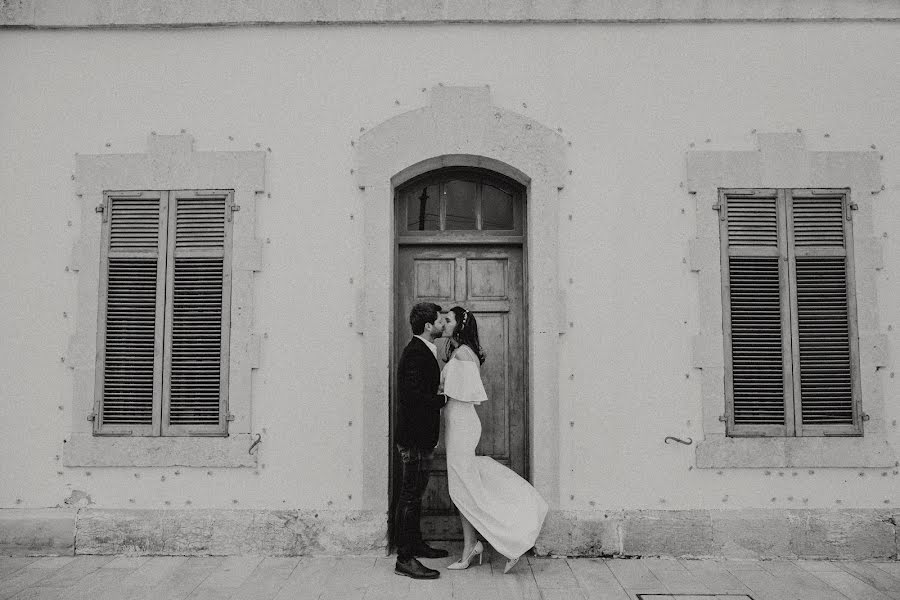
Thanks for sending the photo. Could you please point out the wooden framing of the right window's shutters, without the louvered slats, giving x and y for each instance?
(787, 253)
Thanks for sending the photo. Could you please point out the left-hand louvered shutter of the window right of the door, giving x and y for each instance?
(755, 319)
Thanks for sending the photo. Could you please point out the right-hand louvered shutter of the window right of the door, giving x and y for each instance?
(825, 361)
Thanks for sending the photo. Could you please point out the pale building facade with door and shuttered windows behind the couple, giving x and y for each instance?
(674, 222)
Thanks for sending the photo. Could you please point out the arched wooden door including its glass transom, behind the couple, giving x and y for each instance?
(460, 236)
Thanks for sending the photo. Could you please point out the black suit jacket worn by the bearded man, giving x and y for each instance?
(419, 414)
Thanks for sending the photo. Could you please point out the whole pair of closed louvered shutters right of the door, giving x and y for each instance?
(789, 313)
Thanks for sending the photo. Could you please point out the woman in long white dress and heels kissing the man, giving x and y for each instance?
(492, 499)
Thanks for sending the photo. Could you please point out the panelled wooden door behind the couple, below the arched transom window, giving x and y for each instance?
(488, 281)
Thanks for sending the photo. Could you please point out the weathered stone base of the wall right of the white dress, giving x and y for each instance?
(856, 534)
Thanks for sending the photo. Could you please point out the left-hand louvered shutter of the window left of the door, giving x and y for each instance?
(130, 326)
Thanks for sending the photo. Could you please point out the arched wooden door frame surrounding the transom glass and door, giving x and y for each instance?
(518, 239)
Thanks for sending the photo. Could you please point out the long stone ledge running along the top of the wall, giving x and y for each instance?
(174, 13)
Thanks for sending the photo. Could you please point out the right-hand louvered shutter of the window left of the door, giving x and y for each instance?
(198, 313)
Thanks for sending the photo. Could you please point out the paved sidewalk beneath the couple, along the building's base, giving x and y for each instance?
(373, 578)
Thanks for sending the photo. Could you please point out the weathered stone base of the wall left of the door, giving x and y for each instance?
(202, 532)
